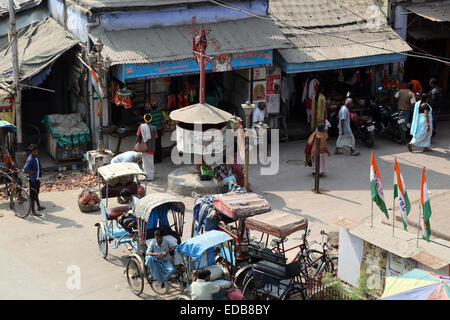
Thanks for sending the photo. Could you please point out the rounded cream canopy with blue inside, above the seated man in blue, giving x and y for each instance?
(147, 207)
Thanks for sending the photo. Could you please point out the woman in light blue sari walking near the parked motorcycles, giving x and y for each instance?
(422, 125)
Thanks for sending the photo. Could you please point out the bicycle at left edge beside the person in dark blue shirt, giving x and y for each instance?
(15, 188)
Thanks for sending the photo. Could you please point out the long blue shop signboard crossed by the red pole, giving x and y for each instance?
(219, 63)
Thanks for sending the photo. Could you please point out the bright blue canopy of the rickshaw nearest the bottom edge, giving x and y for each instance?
(196, 246)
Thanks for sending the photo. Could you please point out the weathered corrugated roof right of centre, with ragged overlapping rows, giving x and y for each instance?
(332, 30)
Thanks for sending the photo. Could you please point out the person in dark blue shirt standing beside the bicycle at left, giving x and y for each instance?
(33, 169)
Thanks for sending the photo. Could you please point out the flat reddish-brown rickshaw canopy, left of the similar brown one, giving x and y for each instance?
(237, 206)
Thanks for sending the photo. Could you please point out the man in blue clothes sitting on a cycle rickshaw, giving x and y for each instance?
(158, 257)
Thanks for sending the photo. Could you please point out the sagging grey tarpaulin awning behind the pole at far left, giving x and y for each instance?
(39, 45)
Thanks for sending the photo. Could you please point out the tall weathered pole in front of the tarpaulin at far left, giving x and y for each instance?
(15, 61)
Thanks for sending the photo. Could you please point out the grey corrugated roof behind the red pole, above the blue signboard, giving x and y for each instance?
(175, 42)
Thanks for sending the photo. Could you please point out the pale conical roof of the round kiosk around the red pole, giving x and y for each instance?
(201, 113)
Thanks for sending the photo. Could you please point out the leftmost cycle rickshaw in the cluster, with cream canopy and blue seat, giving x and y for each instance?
(112, 179)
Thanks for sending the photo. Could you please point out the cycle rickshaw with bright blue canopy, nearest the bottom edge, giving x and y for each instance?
(203, 252)
